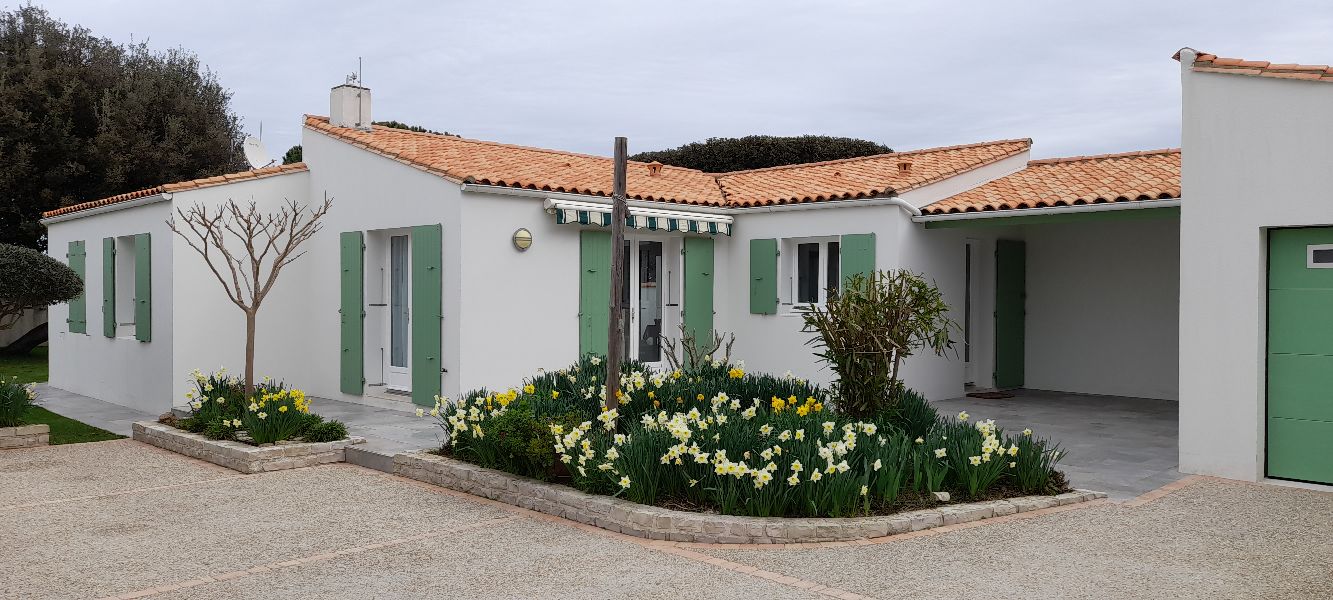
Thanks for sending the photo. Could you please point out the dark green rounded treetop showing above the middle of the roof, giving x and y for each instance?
(720, 155)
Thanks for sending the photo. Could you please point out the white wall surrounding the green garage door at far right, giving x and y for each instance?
(1255, 155)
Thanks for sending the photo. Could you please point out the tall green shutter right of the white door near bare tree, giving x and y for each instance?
(427, 313)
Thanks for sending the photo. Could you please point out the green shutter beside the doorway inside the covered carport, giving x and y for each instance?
(1011, 313)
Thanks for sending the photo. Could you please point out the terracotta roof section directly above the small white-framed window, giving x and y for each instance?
(867, 177)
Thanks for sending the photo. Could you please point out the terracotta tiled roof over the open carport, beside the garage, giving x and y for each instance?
(1150, 175)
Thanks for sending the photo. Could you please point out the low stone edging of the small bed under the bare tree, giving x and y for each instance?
(245, 458)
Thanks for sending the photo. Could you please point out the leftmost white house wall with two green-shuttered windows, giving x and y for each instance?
(117, 370)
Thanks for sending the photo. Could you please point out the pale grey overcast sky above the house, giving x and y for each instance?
(1079, 78)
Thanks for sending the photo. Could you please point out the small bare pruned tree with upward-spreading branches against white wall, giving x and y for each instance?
(247, 250)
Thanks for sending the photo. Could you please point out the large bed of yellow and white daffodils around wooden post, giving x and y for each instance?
(716, 439)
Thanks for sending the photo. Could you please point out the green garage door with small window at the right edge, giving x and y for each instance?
(1300, 354)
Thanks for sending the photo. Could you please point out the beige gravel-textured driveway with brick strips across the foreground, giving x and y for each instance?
(169, 527)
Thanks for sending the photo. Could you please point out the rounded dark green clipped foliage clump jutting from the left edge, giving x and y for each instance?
(30, 279)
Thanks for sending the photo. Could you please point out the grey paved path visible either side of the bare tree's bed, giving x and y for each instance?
(386, 429)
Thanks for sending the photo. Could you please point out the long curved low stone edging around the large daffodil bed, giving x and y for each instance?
(658, 523)
